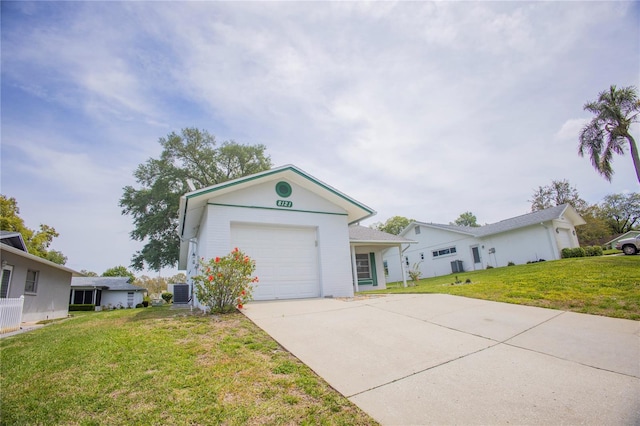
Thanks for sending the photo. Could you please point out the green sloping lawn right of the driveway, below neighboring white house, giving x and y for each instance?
(605, 285)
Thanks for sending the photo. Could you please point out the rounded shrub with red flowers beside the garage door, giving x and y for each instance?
(225, 283)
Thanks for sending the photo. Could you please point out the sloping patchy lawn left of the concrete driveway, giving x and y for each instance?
(161, 366)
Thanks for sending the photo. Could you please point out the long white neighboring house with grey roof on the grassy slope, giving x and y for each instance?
(446, 249)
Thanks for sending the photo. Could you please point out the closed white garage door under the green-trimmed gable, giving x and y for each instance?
(286, 259)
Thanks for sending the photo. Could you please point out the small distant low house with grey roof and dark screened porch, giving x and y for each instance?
(114, 292)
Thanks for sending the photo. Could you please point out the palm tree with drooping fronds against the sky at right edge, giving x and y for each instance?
(608, 132)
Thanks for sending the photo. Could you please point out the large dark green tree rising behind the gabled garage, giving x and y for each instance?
(191, 156)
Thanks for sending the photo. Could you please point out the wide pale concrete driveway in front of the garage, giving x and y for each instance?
(440, 359)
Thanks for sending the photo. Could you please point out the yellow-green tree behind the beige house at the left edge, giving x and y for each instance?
(37, 242)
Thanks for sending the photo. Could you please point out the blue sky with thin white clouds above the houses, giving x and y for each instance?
(419, 109)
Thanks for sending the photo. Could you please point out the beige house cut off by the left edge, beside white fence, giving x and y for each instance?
(44, 284)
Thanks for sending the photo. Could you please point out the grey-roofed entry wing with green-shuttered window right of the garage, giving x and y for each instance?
(367, 247)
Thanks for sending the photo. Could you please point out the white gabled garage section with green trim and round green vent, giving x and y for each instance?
(294, 226)
